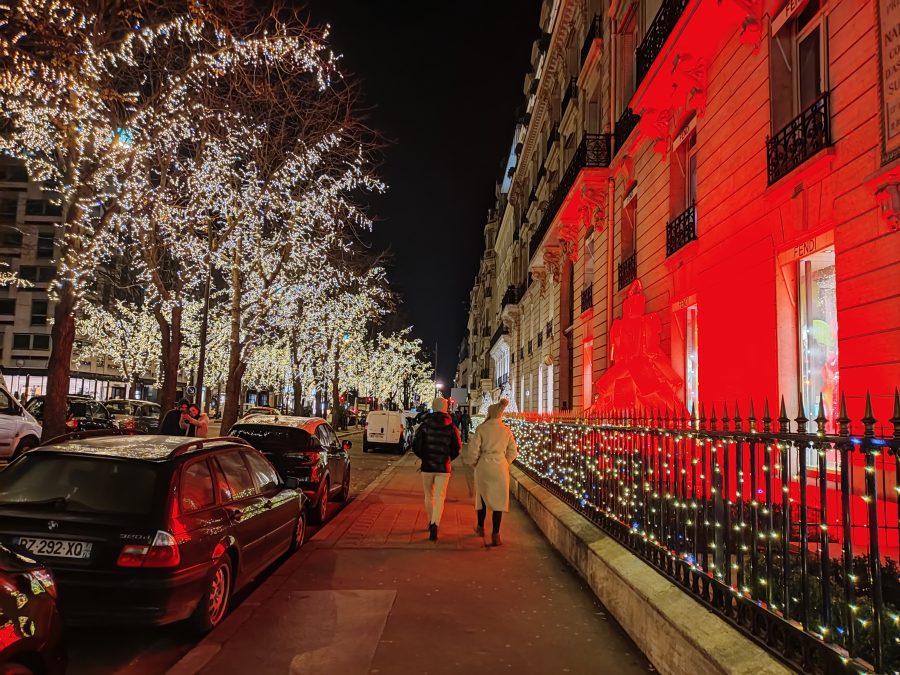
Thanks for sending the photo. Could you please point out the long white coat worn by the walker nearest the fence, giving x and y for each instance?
(491, 450)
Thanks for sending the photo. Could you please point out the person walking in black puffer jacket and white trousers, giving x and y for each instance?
(436, 443)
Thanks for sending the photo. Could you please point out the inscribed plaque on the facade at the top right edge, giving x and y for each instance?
(889, 81)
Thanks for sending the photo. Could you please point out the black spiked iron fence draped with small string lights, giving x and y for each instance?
(786, 528)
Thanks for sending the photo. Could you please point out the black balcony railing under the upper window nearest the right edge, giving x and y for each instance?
(803, 137)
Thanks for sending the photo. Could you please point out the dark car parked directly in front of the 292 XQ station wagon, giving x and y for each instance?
(305, 448)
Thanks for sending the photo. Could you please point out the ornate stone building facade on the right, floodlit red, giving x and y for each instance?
(738, 158)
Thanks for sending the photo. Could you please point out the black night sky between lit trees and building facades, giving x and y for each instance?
(442, 82)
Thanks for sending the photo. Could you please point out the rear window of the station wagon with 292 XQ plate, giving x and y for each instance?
(79, 484)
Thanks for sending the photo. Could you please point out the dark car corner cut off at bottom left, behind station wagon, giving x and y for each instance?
(31, 639)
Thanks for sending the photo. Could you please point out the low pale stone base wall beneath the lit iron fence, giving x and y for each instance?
(674, 631)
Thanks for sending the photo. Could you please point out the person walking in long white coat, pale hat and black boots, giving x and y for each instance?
(491, 451)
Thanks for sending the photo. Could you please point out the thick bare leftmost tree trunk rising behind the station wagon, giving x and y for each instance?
(60, 364)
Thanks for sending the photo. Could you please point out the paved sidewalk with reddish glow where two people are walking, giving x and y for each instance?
(371, 594)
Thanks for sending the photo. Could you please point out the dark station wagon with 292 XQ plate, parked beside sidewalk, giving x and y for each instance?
(149, 529)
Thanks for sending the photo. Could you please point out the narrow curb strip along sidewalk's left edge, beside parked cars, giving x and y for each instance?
(202, 653)
